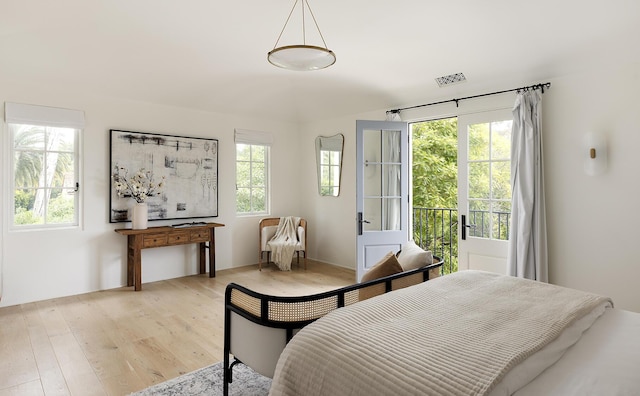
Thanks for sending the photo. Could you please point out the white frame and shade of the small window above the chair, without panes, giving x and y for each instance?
(255, 138)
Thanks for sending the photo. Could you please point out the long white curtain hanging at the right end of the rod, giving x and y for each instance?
(527, 256)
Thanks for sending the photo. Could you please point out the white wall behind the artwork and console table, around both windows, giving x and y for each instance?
(38, 265)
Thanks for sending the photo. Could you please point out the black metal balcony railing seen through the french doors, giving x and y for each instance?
(436, 229)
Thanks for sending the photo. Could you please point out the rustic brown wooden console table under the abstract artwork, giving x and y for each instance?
(168, 236)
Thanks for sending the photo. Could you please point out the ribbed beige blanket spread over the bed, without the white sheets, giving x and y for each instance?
(454, 335)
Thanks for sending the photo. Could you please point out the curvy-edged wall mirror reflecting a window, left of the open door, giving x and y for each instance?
(329, 164)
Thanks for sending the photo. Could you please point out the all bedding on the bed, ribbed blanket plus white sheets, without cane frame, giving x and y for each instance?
(467, 333)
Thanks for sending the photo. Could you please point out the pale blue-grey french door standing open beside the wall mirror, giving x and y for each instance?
(382, 191)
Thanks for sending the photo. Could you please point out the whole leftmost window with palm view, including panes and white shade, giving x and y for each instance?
(44, 162)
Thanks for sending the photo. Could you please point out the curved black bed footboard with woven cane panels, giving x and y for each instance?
(258, 326)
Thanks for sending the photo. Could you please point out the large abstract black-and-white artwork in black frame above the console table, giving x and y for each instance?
(186, 167)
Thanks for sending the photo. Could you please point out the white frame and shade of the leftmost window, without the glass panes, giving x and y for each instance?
(47, 117)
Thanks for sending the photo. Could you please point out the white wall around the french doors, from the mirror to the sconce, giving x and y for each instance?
(591, 220)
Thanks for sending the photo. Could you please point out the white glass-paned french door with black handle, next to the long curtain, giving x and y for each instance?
(484, 190)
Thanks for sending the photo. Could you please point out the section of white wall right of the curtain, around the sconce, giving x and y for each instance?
(592, 220)
